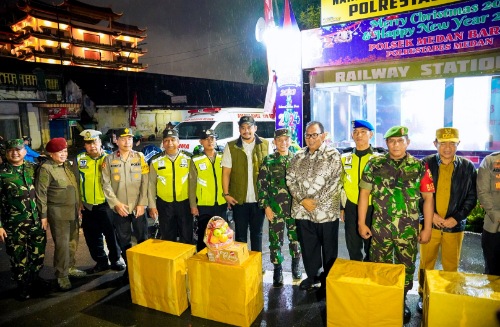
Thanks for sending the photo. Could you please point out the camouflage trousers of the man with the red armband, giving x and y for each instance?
(395, 245)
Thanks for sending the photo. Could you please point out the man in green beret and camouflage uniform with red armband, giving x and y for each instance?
(396, 182)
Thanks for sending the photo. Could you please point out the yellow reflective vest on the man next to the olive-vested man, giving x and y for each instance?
(209, 181)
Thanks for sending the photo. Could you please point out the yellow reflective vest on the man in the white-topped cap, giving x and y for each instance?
(90, 171)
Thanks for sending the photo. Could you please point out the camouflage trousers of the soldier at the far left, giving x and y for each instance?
(25, 245)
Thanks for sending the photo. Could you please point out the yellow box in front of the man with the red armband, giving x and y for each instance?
(365, 294)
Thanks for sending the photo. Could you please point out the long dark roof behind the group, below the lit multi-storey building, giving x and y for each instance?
(116, 88)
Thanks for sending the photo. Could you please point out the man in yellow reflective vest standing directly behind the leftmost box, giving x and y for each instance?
(168, 194)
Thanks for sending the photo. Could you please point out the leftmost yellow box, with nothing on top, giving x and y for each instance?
(157, 271)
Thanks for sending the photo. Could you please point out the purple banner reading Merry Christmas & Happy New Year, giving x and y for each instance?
(469, 26)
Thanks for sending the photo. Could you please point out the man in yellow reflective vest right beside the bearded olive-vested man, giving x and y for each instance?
(205, 184)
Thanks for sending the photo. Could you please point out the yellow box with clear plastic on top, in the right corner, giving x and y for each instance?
(460, 299)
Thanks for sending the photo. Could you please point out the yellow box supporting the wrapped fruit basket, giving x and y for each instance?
(226, 293)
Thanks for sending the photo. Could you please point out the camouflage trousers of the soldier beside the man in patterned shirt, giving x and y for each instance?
(276, 231)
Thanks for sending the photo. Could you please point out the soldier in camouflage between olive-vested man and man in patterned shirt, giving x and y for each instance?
(276, 200)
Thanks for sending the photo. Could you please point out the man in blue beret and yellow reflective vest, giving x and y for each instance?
(354, 161)
